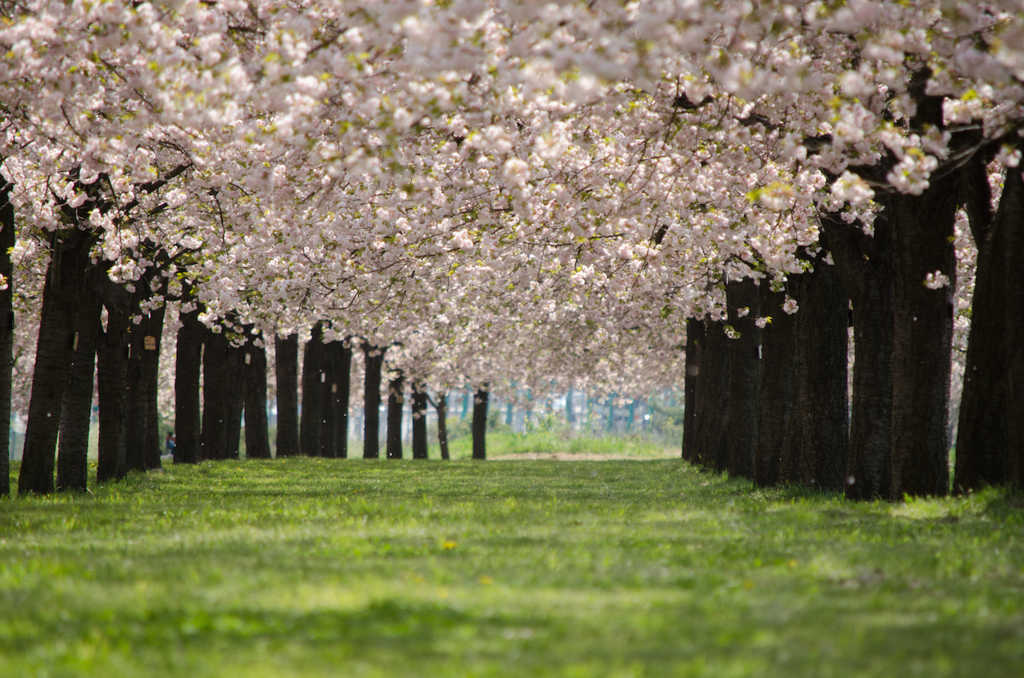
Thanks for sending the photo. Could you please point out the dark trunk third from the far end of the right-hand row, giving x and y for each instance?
(744, 376)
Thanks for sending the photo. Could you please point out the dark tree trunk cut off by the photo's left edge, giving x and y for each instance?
(7, 331)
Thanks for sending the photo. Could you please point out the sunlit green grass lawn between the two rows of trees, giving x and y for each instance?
(307, 568)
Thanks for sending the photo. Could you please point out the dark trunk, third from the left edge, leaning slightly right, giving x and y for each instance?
(76, 413)
